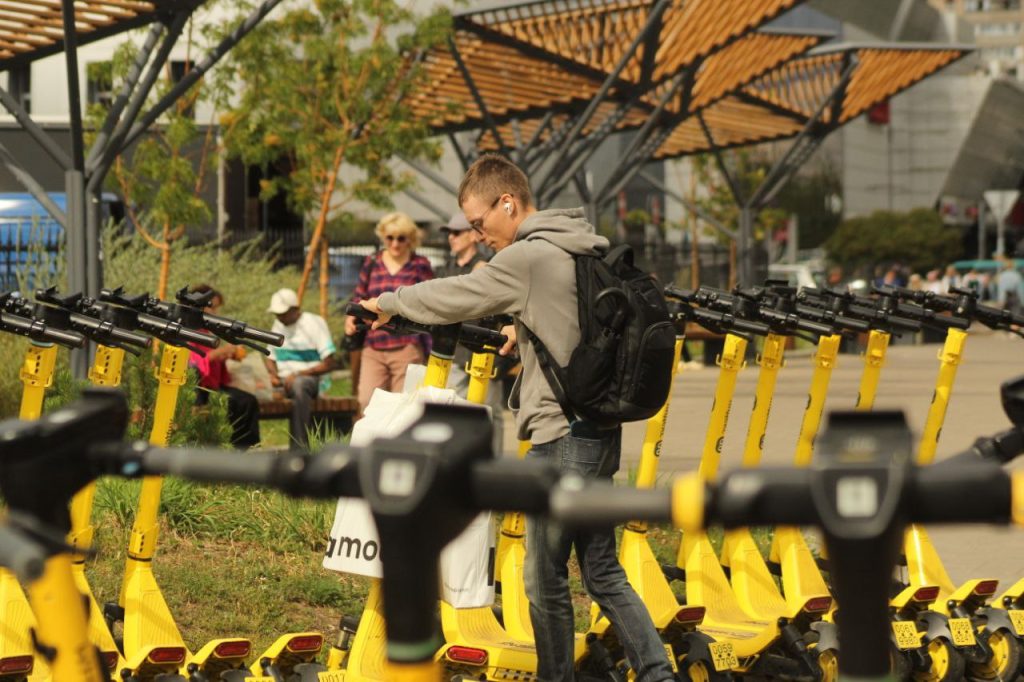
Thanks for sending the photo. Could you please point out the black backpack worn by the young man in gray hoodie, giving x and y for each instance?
(622, 370)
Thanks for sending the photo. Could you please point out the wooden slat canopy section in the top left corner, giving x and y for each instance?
(33, 29)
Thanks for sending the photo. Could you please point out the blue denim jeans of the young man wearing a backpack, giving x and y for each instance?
(548, 548)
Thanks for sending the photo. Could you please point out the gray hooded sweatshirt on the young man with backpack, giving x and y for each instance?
(533, 279)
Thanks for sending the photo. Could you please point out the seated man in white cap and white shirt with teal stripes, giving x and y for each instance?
(298, 364)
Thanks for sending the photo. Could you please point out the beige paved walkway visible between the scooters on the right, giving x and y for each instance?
(907, 385)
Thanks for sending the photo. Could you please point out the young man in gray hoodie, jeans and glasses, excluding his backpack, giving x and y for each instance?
(533, 278)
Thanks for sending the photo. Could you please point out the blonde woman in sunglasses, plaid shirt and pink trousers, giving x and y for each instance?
(387, 356)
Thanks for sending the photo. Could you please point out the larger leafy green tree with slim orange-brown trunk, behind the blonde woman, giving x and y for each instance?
(327, 86)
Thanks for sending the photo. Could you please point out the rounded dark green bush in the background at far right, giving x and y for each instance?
(917, 239)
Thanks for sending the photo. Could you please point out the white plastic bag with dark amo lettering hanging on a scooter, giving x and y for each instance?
(355, 546)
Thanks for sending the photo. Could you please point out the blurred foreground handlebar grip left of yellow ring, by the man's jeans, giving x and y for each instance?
(578, 503)
